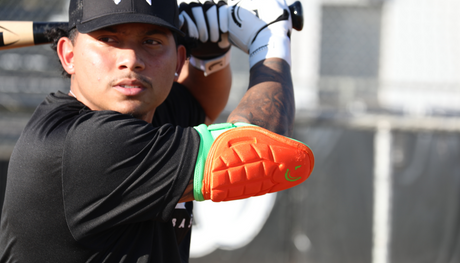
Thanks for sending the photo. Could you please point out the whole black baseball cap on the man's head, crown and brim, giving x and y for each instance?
(91, 15)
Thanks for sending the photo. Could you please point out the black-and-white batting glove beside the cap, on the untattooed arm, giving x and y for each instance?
(207, 22)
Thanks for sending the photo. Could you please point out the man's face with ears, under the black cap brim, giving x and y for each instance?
(127, 68)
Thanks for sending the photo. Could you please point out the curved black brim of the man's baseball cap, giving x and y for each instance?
(117, 19)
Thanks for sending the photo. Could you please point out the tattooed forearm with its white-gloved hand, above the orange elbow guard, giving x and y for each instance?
(262, 28)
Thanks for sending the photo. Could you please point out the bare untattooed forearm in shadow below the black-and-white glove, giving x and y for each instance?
(211, 91)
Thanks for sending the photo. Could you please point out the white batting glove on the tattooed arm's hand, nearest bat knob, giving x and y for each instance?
(261, 28)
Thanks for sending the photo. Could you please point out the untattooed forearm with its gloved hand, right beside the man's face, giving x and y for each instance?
(207, 73)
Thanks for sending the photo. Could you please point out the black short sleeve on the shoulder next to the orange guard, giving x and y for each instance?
(119, 170)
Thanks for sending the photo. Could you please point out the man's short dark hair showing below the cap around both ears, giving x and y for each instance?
(55, 34)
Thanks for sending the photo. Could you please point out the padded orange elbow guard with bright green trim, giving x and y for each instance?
(245, 161)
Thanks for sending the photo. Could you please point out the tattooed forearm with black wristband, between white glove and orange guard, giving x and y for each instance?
(269, 101)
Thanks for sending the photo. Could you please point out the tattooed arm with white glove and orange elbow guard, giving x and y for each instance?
(255, 132)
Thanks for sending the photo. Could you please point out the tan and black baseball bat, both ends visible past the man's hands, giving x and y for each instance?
(16, 34)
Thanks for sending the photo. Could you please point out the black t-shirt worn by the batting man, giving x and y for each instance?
(98, 186)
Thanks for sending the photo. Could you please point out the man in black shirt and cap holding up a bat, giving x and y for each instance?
(99, 174)
